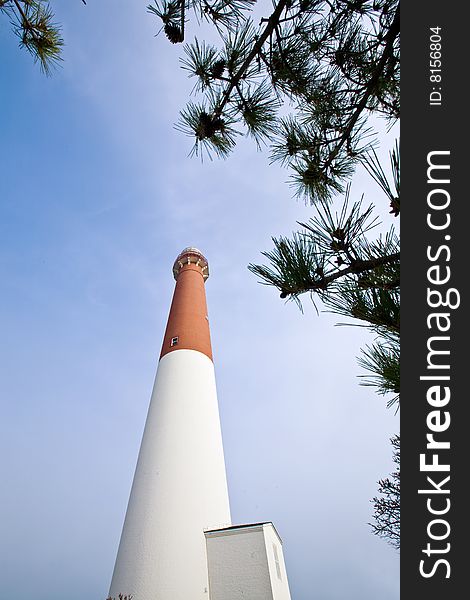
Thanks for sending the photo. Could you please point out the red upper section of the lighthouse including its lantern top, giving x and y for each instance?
(188, 323)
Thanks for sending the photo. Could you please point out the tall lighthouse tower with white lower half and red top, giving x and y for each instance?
(179, 486)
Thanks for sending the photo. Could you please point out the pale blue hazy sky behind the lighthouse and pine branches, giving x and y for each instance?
(97, 197)
